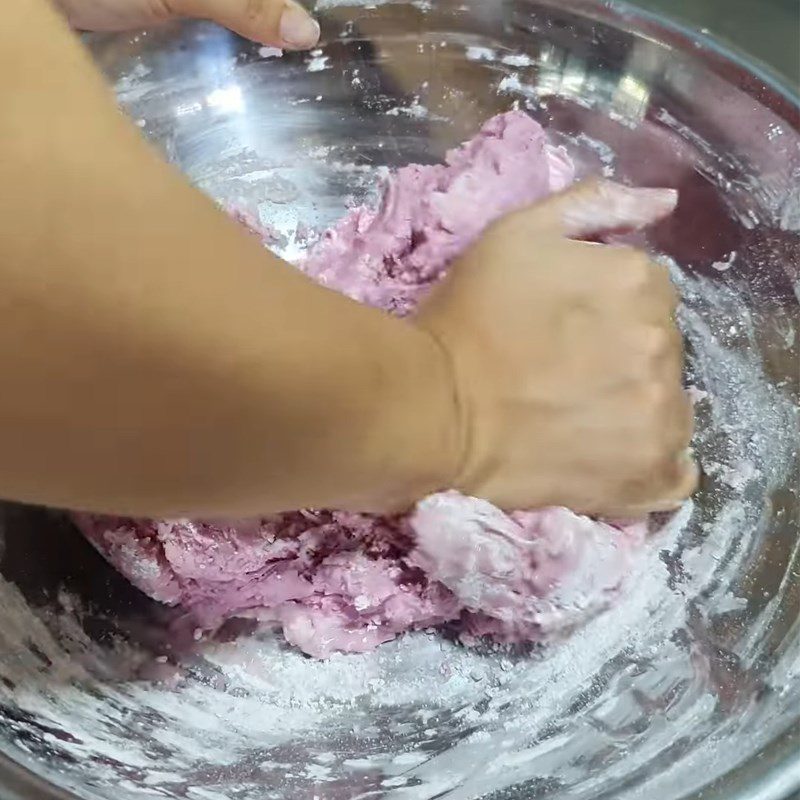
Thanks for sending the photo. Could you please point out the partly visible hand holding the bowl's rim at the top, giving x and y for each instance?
(280, 23)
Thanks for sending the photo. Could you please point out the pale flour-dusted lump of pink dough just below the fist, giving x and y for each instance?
(522, 576)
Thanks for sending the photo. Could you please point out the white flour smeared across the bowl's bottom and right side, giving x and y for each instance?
(421, 715)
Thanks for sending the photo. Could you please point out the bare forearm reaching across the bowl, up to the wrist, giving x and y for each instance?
(155, 359)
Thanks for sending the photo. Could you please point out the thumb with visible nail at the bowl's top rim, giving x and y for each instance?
(280, 23)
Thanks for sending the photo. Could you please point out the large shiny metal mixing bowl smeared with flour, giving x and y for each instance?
(690, 687)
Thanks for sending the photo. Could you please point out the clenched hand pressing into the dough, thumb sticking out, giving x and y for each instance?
(567, 361)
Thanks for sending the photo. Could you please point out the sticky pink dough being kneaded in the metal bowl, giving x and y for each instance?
(334, 581)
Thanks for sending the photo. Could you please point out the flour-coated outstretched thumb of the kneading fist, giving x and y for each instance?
(597, 206)
